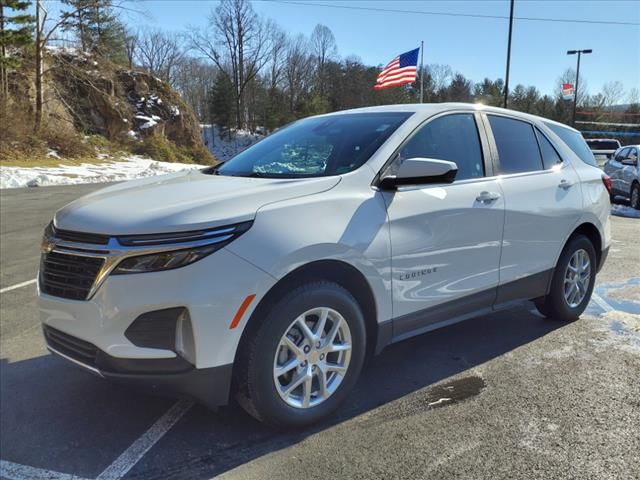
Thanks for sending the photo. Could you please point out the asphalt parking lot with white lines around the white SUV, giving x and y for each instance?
(509, 395)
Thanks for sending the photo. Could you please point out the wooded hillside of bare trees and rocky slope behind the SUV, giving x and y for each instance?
(241, 71)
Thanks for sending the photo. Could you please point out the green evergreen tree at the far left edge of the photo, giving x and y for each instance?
(16, 33)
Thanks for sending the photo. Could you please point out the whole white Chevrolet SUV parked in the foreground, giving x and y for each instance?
(269, 278)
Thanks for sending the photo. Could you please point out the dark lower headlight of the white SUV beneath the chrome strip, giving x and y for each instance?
(164, 261)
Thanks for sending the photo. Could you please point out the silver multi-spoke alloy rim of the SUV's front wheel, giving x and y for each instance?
(312, 357)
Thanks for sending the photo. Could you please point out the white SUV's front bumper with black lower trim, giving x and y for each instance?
(210, 290)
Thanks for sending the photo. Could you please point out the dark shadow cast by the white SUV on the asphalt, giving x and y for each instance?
(57, 417)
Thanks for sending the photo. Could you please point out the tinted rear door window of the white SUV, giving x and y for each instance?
(517, 145)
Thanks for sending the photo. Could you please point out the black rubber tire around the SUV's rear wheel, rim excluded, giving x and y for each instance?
(554, 306)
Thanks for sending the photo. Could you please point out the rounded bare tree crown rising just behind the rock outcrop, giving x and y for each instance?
(159, 53)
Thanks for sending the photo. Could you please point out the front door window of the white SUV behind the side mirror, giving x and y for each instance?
(452, 137)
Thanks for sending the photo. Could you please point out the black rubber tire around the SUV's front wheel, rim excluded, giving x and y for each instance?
(256, 391)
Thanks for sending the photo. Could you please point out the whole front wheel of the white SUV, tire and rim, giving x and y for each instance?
(304, 358)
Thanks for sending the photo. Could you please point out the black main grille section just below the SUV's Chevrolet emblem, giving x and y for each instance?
(67, 275)
